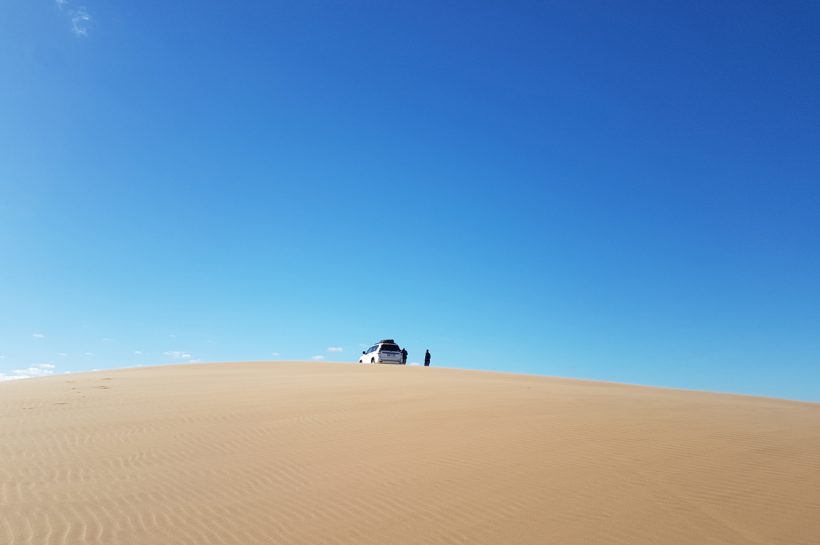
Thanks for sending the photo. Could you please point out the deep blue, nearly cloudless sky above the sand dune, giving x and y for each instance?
(618, 191)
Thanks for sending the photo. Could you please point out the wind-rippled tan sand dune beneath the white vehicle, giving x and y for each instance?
(292, 453)
